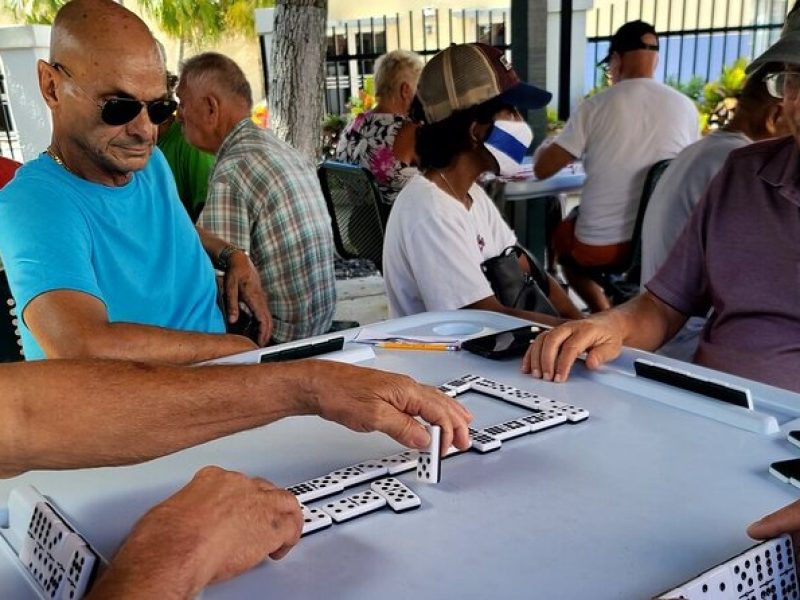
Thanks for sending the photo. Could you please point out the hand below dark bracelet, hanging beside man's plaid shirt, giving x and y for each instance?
(242, 283)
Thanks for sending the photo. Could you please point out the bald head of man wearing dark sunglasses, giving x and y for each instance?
(101, 51)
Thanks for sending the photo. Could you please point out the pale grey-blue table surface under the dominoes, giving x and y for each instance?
(633, 501)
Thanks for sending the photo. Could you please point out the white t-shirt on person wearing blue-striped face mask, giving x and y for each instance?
(434, 247)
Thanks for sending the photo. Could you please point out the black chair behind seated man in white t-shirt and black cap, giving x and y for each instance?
(623, 281)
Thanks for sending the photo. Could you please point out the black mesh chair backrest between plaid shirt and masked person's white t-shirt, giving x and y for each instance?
(353, 201)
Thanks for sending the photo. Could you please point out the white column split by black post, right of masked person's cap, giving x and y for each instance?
(577, 43)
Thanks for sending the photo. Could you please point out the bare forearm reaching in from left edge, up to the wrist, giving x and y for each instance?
(71, 414)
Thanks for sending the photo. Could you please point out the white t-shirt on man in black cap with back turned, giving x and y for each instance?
(619, 134)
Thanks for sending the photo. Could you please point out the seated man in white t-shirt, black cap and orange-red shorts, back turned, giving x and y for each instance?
(619, 133)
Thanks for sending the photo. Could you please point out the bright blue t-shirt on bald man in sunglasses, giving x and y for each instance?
(133, 247)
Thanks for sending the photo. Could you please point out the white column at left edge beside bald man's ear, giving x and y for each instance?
(21, 46)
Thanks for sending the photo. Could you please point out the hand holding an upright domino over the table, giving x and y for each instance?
(364, 400)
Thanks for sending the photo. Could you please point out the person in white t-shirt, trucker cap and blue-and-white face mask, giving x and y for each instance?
(443, 225)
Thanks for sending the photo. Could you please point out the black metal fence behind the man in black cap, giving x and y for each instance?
(697, 37)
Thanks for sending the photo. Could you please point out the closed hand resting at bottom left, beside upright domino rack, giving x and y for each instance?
(219, 525)
